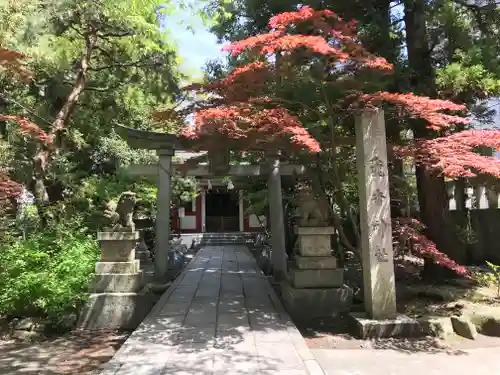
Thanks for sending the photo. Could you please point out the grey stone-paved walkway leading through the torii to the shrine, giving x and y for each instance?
(220, 317)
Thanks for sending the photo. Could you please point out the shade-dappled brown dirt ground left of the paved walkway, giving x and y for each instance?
(72, 353)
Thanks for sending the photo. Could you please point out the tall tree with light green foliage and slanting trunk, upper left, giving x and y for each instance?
(94, 64)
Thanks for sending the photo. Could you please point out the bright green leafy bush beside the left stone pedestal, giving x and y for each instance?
(46, 276)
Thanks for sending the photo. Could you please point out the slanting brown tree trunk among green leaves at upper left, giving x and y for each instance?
(43, 155)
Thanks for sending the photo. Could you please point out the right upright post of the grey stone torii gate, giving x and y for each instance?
(278, 255)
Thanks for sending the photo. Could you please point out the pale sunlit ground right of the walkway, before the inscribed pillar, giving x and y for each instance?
(338, 353)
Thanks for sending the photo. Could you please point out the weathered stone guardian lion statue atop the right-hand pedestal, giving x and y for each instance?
(312, 211)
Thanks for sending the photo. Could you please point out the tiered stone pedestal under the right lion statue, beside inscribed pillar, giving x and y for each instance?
(316, 287)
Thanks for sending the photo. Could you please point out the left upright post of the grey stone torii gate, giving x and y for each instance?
(163, 201)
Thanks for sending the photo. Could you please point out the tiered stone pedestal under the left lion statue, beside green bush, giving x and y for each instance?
(116, 300)
